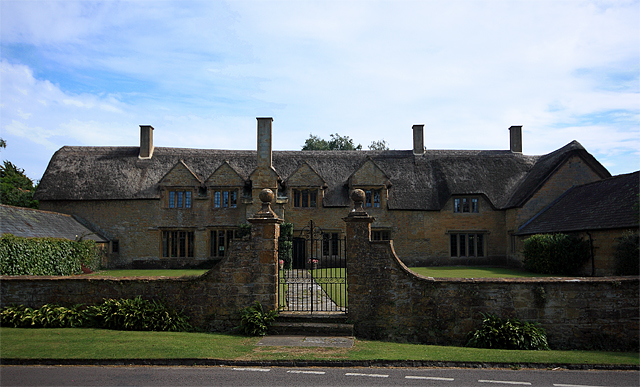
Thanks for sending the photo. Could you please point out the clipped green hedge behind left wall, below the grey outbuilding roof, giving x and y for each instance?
(46, 256)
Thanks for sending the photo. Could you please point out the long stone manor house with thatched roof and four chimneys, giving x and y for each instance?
(172, 207)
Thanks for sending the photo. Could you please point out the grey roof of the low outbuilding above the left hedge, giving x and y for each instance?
(32, 223)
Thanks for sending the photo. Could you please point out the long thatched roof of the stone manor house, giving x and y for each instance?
(419, 182)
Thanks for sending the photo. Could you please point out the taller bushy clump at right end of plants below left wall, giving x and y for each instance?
(136, 314)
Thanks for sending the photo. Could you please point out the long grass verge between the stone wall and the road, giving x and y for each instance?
(105, 344)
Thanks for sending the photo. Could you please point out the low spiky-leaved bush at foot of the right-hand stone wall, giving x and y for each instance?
(511, 333)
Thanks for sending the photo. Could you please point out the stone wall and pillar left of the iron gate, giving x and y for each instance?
(249, 273)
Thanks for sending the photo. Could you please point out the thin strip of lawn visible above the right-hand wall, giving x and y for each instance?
(474, 272)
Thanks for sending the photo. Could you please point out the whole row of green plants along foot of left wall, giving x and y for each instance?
(123, 314)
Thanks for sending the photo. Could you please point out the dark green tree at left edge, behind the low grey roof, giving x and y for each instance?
(16, 189)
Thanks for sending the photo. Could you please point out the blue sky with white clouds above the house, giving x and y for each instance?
(89, 73)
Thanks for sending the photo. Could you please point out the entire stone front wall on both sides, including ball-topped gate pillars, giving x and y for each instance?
(386, 300)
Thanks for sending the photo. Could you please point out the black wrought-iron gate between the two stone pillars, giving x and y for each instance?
(315, 278)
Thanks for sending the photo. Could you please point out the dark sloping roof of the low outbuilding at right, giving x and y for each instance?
(601, 205)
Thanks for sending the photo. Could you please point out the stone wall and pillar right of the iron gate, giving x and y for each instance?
(388, 301)
